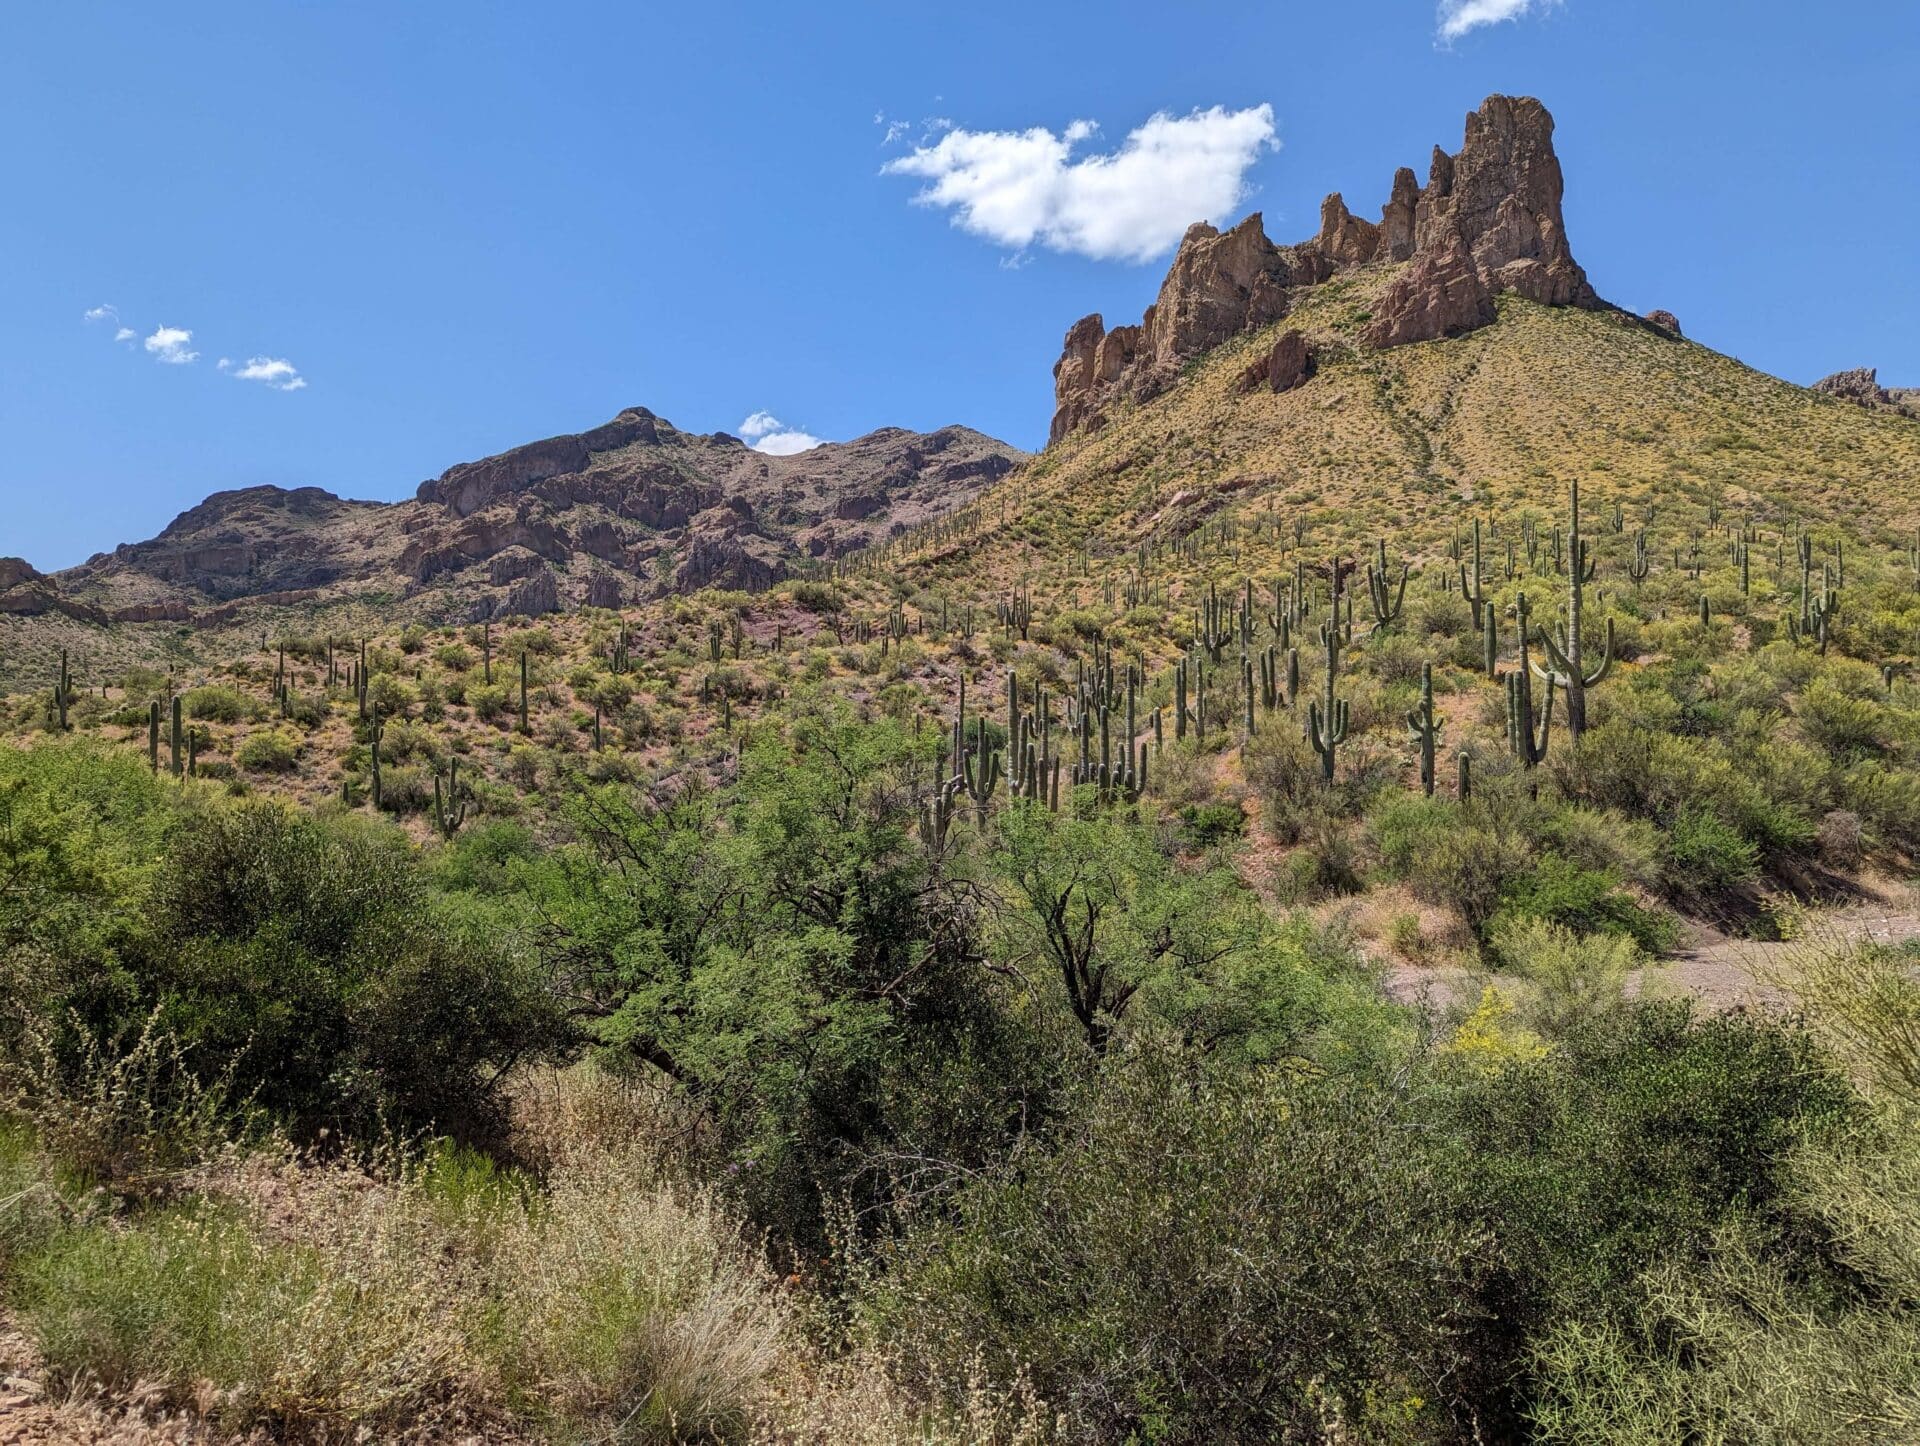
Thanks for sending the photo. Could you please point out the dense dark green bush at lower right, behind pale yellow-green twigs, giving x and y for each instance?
(1643, 1136)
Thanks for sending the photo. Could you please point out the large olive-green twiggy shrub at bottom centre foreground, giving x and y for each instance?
(1205, 1257)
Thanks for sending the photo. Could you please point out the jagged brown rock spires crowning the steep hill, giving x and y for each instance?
(1487, 222)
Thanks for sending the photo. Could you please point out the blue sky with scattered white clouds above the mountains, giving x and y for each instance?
(425, 233)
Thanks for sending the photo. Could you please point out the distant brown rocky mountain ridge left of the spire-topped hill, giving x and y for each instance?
(619, 514)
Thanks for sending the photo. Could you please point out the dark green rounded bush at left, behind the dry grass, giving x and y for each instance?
(308, 959)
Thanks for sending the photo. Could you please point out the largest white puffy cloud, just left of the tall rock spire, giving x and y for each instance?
(1132, 205)
